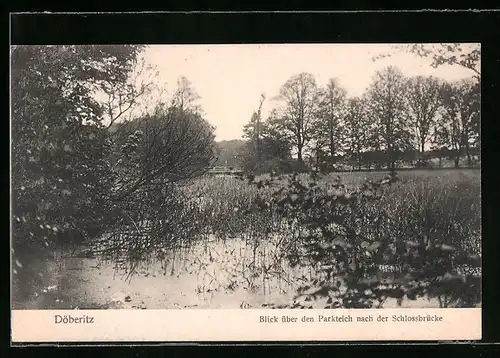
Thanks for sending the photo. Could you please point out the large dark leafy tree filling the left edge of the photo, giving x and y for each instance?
(61, 177)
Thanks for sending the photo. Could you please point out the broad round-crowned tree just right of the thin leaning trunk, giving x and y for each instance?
(300, 97)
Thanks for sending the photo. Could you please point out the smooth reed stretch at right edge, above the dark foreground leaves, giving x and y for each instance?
(444, 209)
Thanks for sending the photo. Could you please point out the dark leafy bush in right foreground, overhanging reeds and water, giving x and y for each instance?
(349, 236)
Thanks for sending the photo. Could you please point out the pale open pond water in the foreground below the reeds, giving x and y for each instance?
(213, 274)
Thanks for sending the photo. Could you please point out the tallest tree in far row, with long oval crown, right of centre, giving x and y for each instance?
(387, 106)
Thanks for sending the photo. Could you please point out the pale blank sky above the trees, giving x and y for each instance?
(230, 78)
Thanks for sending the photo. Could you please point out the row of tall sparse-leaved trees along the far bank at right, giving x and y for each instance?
(398, 121)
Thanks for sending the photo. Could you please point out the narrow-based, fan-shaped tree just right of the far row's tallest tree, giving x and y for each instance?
(423, 103)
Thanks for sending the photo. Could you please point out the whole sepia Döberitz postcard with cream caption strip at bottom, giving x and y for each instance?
(258, 192)
